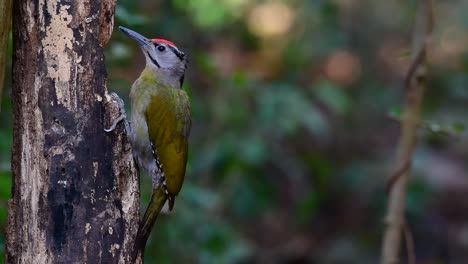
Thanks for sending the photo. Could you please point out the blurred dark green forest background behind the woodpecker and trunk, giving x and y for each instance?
(295, 108)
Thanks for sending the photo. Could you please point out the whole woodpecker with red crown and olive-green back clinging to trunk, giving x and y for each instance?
(160, 124)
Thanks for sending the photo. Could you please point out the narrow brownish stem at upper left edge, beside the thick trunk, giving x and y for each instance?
(5, 24)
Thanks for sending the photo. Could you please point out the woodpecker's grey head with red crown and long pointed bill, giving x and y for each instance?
(162, 57)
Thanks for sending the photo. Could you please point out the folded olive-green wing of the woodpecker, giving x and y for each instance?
(169, 121)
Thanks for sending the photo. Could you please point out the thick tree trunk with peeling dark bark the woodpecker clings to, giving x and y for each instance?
(75, 190)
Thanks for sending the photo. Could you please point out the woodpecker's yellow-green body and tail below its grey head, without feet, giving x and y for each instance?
(160, 116)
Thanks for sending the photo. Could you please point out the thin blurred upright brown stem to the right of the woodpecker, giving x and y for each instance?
(414, 85)
